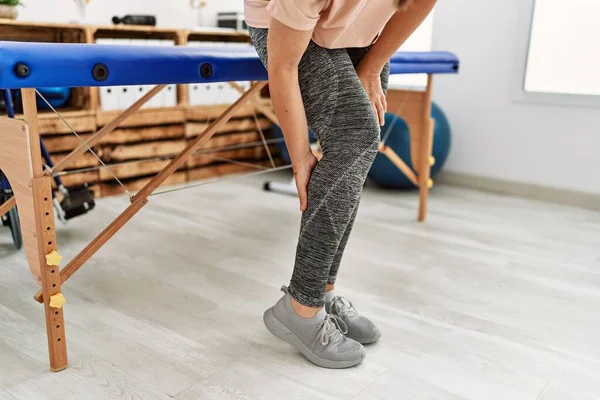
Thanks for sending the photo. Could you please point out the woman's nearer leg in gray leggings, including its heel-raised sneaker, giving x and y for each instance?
(339, 112)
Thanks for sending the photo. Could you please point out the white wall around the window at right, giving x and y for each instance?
(494, 136)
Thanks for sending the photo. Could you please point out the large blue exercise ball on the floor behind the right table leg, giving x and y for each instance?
(386, 174)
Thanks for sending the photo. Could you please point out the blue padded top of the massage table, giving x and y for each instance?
(35, 65)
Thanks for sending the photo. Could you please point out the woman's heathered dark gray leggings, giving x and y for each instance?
(340, 114)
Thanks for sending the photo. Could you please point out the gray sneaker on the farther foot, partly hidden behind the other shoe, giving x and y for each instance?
(360, 328)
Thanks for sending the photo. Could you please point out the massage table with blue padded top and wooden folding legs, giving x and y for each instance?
(28, 66)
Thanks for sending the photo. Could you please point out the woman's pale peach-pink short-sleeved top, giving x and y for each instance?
(335, 23)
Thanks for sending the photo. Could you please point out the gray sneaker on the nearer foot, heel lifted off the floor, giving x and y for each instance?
(320, 339)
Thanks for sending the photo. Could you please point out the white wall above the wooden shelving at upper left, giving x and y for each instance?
(172, 14)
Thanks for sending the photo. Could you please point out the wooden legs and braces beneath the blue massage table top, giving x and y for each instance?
(20, 160)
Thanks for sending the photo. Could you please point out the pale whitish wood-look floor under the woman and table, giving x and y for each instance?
(494, 298)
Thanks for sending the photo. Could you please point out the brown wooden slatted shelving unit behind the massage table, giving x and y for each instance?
(146, 141)
